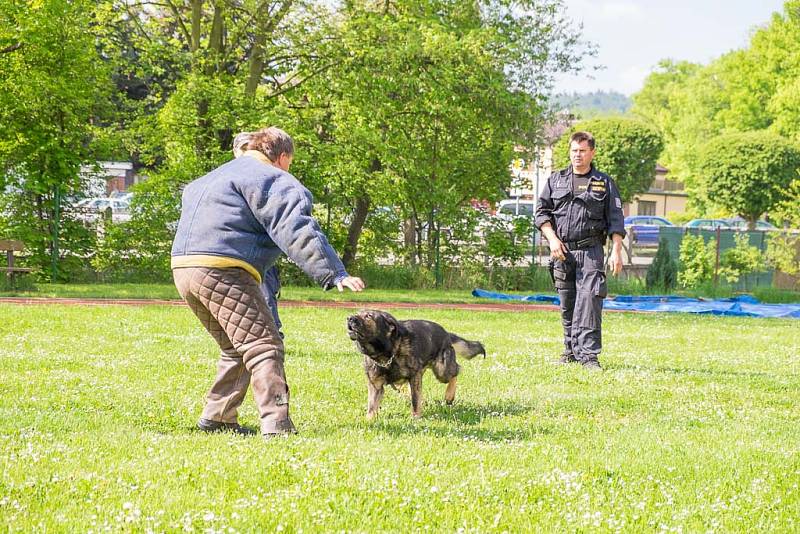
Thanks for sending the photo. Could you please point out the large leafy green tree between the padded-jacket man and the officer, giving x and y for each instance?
(423, 104)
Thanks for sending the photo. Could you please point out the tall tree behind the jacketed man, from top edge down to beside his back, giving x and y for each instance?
(189, 75)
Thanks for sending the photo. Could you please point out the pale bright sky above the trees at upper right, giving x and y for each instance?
(632, 36)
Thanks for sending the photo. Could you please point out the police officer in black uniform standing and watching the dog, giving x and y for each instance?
(578, 209)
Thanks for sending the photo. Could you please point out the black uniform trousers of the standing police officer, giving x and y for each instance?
(581, 284)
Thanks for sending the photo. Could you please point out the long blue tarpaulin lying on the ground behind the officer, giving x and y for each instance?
(742, 306)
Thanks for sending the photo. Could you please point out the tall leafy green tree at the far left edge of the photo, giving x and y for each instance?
(53, 88)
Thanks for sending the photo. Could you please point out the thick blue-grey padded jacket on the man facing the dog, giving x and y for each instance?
(251, 211)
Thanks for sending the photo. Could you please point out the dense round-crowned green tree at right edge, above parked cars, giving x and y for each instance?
(749, 173)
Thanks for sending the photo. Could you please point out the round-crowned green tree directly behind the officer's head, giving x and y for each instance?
(627, 150)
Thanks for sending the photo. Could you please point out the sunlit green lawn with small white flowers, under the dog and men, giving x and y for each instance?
(694, 426)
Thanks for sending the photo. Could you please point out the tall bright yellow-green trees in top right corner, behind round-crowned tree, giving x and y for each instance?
(751, 89)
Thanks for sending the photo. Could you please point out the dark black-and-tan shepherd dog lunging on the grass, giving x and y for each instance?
(396, 352)
